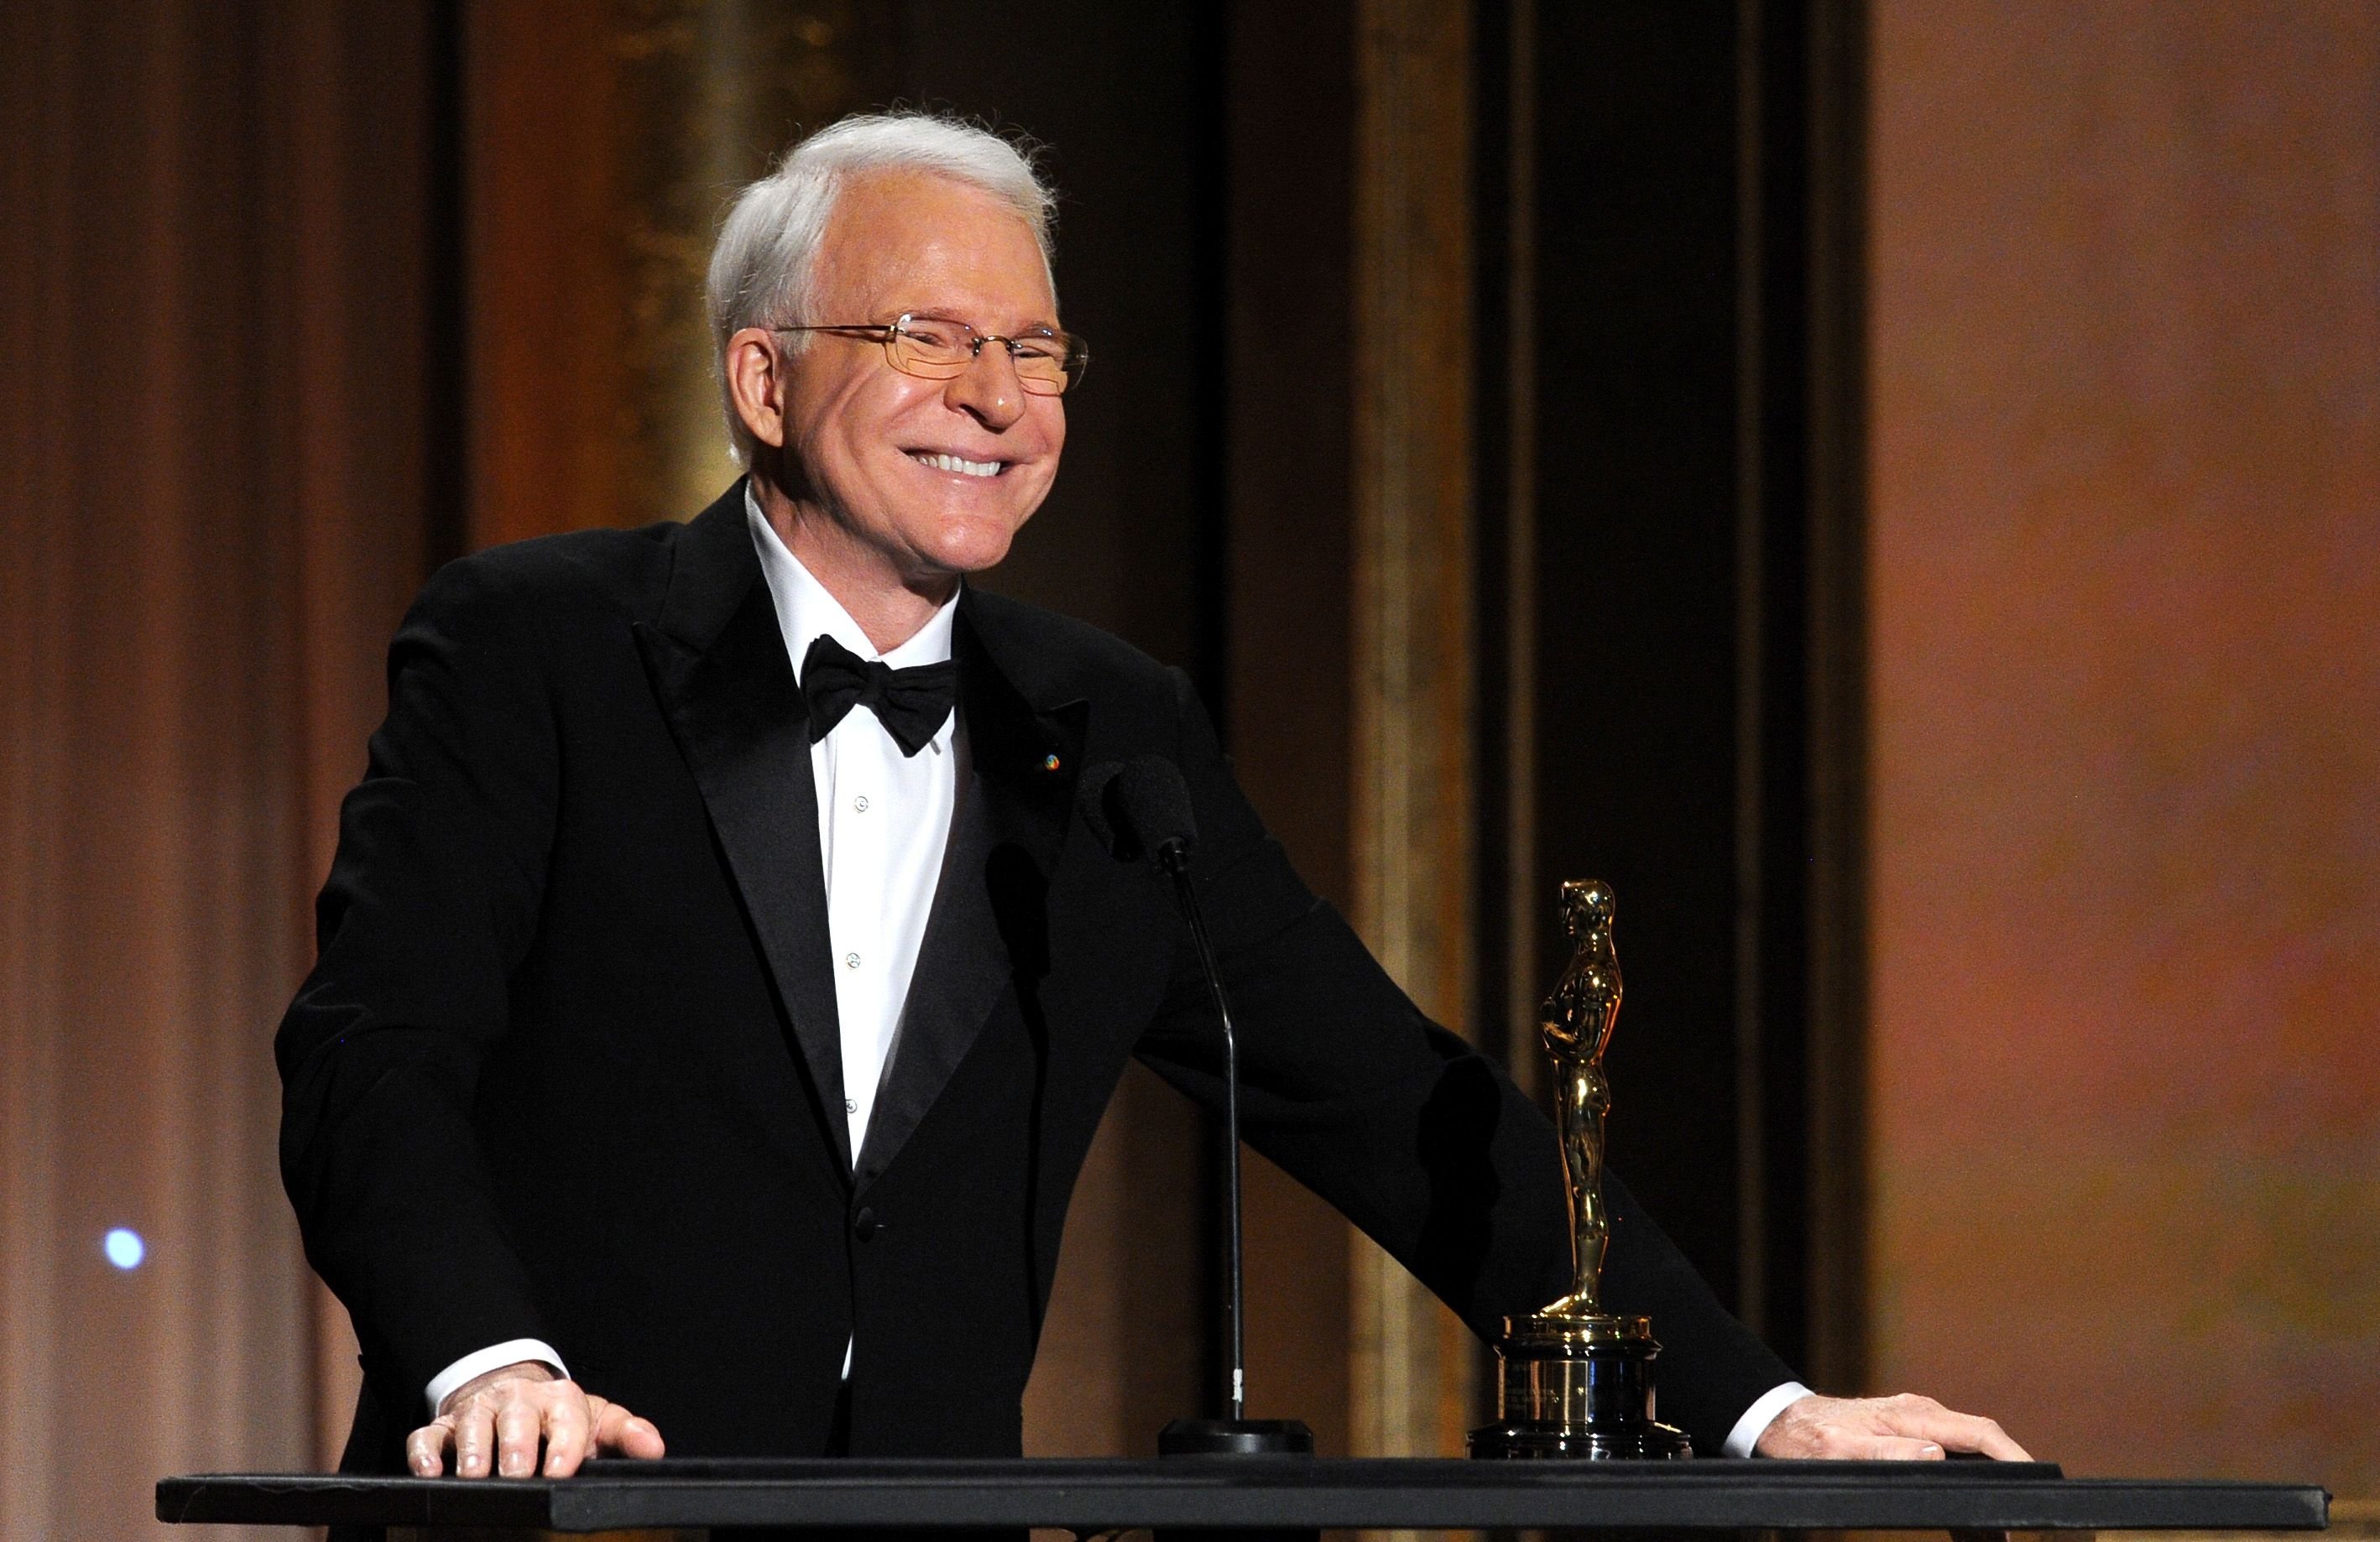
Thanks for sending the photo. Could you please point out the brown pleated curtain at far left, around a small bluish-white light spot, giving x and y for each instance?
(218, 477)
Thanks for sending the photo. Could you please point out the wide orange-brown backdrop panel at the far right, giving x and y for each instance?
(2127, 594)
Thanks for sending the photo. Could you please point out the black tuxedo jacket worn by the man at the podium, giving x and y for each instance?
(568, 1065)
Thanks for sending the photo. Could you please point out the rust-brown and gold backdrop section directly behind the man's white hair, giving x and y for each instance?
(601, 142)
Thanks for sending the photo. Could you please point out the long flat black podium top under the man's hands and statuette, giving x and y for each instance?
(1263, 1493)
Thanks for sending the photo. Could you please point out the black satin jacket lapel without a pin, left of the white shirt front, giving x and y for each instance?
(727, 691)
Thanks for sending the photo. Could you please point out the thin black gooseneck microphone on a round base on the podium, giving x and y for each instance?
(1141, 810)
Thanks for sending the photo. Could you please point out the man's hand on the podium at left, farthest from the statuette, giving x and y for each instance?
(499, 1422)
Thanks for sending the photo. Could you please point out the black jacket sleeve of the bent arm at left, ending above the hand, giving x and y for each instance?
(430, 908)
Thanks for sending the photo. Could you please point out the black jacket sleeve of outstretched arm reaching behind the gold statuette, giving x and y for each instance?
(1405, 1129)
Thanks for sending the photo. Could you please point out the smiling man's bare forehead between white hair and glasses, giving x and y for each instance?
(913, 242)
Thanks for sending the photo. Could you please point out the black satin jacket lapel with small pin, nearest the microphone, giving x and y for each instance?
(991, 917)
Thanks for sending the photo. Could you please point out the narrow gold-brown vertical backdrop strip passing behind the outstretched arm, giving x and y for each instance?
(1413, 672)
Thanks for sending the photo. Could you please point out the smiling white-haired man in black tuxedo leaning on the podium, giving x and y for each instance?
(720, 991)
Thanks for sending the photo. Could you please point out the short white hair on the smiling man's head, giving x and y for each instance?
(772, 234)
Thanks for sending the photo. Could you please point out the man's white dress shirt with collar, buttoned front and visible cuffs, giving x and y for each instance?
(884, 832)
